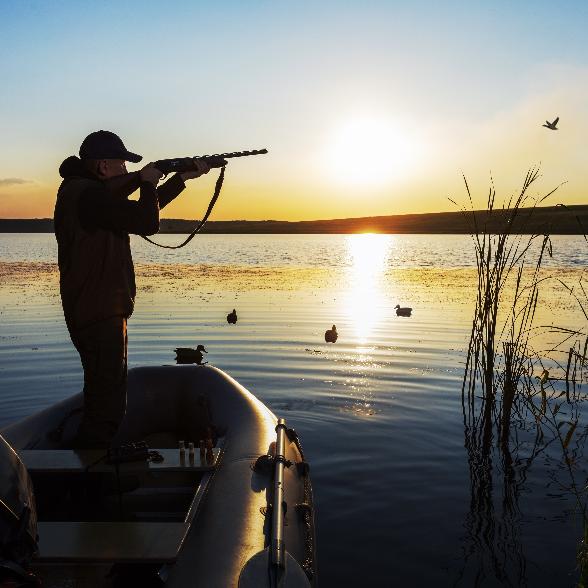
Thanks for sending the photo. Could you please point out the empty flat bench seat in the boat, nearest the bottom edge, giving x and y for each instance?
(104, 542)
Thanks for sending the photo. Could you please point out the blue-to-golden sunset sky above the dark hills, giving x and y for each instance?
(366, 107)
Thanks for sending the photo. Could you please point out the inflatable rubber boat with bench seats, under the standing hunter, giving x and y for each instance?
(148, 512)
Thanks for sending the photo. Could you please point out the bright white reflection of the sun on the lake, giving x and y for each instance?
(365, 296)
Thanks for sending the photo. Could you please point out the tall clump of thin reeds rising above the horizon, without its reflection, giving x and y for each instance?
(502, 258)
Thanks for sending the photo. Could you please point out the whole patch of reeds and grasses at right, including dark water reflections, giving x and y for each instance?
(522, 385)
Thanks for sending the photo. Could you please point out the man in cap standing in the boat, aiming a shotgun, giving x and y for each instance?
(93, 219)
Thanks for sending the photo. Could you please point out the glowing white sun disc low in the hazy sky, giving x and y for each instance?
(370, 151)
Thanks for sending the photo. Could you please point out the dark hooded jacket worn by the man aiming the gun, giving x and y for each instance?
(92, 226)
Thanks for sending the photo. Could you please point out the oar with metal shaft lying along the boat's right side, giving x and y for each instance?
(274, 567)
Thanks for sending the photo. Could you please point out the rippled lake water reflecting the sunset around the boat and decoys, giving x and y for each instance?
(401, 499)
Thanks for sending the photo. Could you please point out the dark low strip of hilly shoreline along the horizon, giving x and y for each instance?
(554, 220)
